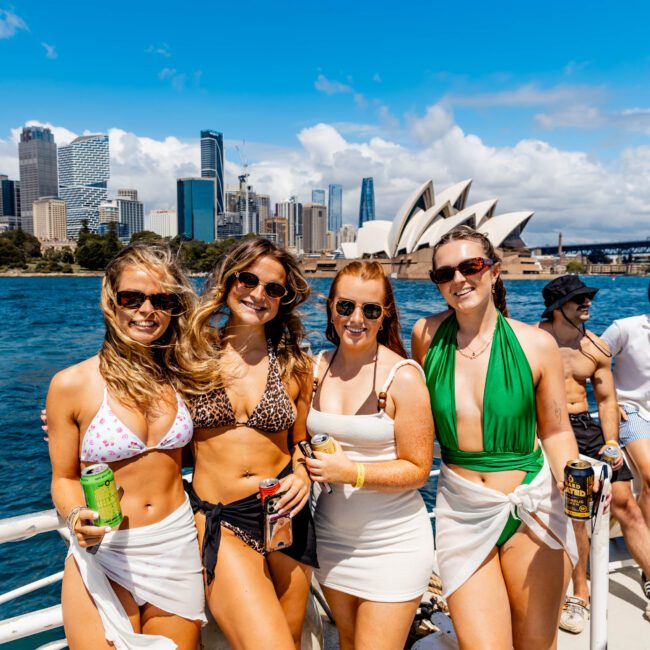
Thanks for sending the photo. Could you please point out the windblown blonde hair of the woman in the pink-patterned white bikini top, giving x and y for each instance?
(134, 372)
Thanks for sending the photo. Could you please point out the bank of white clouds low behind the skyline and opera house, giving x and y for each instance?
(588, 199)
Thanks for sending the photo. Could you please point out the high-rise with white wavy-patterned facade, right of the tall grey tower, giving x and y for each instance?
(84, 171)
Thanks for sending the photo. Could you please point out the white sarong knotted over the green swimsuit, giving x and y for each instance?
(470, 519)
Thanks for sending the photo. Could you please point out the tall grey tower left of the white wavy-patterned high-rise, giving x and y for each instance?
(38, 173)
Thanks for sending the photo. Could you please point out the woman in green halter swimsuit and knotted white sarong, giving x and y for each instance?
(503, 542)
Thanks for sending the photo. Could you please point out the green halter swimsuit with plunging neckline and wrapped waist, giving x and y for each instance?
(509, 413)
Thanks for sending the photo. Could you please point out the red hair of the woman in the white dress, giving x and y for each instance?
(389, 334)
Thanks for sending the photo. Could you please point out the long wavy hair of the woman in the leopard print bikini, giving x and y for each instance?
(200, 357)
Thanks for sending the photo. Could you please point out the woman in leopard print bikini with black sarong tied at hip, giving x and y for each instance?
(248, 383)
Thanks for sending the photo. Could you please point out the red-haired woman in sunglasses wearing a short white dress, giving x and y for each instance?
(375, 544)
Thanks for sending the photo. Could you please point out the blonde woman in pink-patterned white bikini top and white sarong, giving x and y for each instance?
(120, 407)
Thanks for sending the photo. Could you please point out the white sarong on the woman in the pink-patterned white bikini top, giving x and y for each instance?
(158, 564)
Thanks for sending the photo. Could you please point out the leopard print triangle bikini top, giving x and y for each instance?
(274, 412)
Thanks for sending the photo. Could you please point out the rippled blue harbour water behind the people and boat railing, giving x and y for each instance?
(49, 323)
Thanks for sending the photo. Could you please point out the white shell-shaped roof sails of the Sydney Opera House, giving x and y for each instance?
(425, 217)
